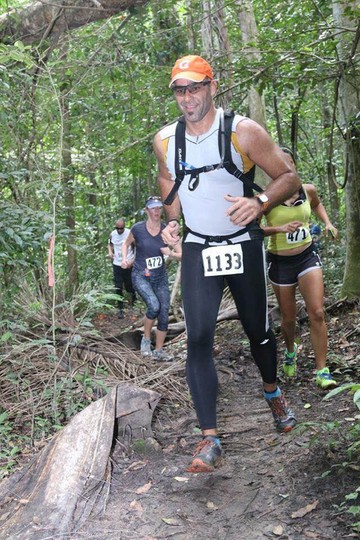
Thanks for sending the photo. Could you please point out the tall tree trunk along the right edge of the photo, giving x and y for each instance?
(349, 106)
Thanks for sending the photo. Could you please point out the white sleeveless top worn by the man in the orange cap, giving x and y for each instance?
(205, 208)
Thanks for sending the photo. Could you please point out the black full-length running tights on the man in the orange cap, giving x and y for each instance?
(201, 299)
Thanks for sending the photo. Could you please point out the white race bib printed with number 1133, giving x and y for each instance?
(223, 260)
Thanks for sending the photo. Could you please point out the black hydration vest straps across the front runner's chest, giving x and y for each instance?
(226, 162)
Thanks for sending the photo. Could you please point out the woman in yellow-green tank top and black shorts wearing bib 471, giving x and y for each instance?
(294, 262)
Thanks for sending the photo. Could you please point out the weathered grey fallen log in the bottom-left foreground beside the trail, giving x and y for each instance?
(70, 478)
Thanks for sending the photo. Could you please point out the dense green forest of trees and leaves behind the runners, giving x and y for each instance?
(85, 88)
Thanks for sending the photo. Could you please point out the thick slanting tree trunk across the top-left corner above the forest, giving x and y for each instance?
(46, 18)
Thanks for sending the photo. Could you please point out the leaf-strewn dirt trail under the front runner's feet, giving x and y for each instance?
(265, 476)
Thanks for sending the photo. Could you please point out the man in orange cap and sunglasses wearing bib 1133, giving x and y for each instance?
(223, 241)
